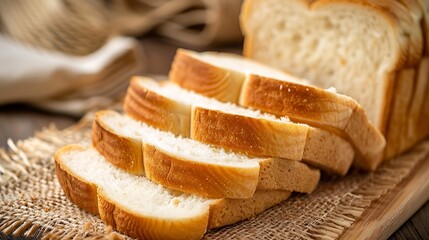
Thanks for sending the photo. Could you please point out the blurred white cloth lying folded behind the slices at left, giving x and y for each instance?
(65, 83)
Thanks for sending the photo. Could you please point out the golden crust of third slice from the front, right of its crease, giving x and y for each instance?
(260, 137)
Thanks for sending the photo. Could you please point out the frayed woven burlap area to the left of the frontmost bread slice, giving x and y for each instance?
(32, 158)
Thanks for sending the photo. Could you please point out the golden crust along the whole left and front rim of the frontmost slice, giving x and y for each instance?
(91, 198)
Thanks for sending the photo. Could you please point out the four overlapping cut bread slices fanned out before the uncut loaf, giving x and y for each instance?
(178, 163)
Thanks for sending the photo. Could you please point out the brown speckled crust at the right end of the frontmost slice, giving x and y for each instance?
(229, 211)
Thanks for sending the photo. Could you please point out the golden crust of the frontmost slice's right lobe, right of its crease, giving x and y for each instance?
(145, 227)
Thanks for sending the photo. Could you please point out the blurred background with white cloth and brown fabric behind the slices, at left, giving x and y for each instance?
(62, 58)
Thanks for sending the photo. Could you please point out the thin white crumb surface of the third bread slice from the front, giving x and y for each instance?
(172, 90)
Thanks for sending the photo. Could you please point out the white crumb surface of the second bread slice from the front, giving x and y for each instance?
(177, 146)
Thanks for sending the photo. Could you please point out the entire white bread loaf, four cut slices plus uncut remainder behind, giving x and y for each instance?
(229, 137)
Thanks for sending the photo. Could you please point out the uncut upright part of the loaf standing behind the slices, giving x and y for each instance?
(373, 51)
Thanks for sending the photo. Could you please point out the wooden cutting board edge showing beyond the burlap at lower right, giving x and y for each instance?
(389, 212)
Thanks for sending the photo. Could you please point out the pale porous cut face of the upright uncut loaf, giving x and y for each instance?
(324, 45)
